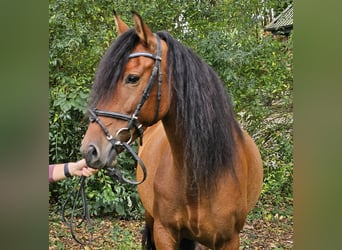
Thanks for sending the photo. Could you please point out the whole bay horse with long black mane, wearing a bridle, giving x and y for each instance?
(204, 172)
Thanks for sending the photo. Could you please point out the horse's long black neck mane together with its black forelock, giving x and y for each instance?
(204, 110)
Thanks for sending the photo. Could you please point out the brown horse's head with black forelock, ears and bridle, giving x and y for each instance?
(130, 92)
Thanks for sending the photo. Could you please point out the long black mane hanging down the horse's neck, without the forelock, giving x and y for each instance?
(204, 113)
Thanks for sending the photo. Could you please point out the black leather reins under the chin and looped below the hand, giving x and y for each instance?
(112, 172)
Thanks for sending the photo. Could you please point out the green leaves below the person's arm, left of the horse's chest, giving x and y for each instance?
(105, 195)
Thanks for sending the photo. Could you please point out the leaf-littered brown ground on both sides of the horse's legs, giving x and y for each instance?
(271, 232)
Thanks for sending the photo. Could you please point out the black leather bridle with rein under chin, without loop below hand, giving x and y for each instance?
(132, 120)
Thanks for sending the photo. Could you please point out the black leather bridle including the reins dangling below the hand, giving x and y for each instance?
(132, 123)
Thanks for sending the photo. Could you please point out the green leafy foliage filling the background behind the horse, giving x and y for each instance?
(256, 69)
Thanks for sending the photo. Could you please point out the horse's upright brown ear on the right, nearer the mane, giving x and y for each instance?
(143, 31)
